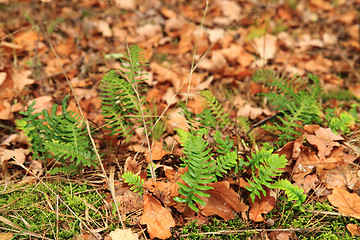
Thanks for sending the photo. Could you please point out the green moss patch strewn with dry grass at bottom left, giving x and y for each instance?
(34, 208)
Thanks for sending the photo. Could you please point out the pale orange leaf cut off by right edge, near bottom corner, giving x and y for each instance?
(347, 203)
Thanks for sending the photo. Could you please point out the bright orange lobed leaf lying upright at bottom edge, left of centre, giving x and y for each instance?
(157, 218)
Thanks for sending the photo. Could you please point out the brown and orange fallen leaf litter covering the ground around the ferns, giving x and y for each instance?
(294, 42)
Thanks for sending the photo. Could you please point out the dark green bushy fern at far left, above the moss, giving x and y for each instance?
(63, 137)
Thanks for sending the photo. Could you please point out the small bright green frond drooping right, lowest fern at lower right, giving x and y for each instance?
(294, 193)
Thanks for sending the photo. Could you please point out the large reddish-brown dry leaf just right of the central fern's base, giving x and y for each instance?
(222, 201)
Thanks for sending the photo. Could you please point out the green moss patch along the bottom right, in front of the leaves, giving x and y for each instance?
(285, 217)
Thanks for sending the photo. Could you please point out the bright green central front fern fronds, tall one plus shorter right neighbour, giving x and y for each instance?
(202, 168)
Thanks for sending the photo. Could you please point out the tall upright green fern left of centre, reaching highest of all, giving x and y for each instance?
(121, 106)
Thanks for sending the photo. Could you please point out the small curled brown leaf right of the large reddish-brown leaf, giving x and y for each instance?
(261, 206)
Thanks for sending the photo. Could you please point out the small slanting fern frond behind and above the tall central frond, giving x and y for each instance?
(216, 109)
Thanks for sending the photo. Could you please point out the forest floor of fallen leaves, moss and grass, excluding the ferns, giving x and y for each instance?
(50, 49)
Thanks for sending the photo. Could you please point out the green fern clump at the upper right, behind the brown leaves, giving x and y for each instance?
(298, 105)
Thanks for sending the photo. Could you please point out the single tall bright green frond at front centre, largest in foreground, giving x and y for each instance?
(200, 170)
